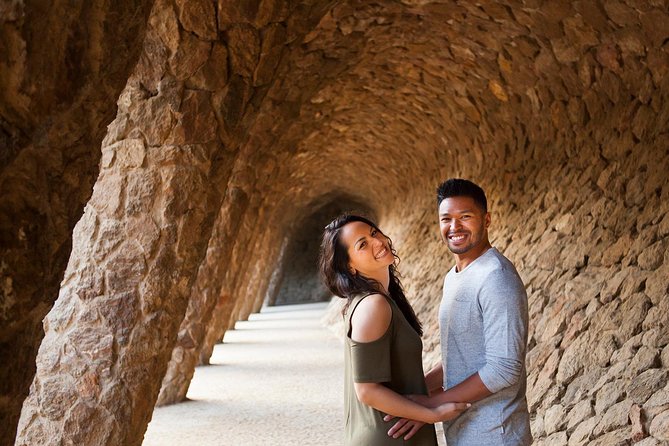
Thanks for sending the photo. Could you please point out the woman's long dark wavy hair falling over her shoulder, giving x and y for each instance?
(333, 265)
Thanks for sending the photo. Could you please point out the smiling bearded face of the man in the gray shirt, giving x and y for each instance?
(463, 224)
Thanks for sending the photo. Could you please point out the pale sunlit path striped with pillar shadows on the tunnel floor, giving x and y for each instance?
(276, 380)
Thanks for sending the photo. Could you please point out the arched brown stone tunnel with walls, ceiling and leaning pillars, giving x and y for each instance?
(165, 167)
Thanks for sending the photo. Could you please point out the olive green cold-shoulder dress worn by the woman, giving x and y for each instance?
(395, 360)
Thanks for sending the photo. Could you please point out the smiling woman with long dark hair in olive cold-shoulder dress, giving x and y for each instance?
(383, 358)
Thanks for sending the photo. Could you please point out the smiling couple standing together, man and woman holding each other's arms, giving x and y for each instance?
(479, 388)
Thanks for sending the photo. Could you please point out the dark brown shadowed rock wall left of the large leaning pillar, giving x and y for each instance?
(60, 76)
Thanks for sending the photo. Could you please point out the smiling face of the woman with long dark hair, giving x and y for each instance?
(368, 249)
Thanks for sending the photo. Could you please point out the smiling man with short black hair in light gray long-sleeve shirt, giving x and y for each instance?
(483, 323)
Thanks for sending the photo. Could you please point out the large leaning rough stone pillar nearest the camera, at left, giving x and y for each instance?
(135, 253)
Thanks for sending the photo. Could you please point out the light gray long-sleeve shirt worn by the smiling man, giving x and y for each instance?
(483, 322)
